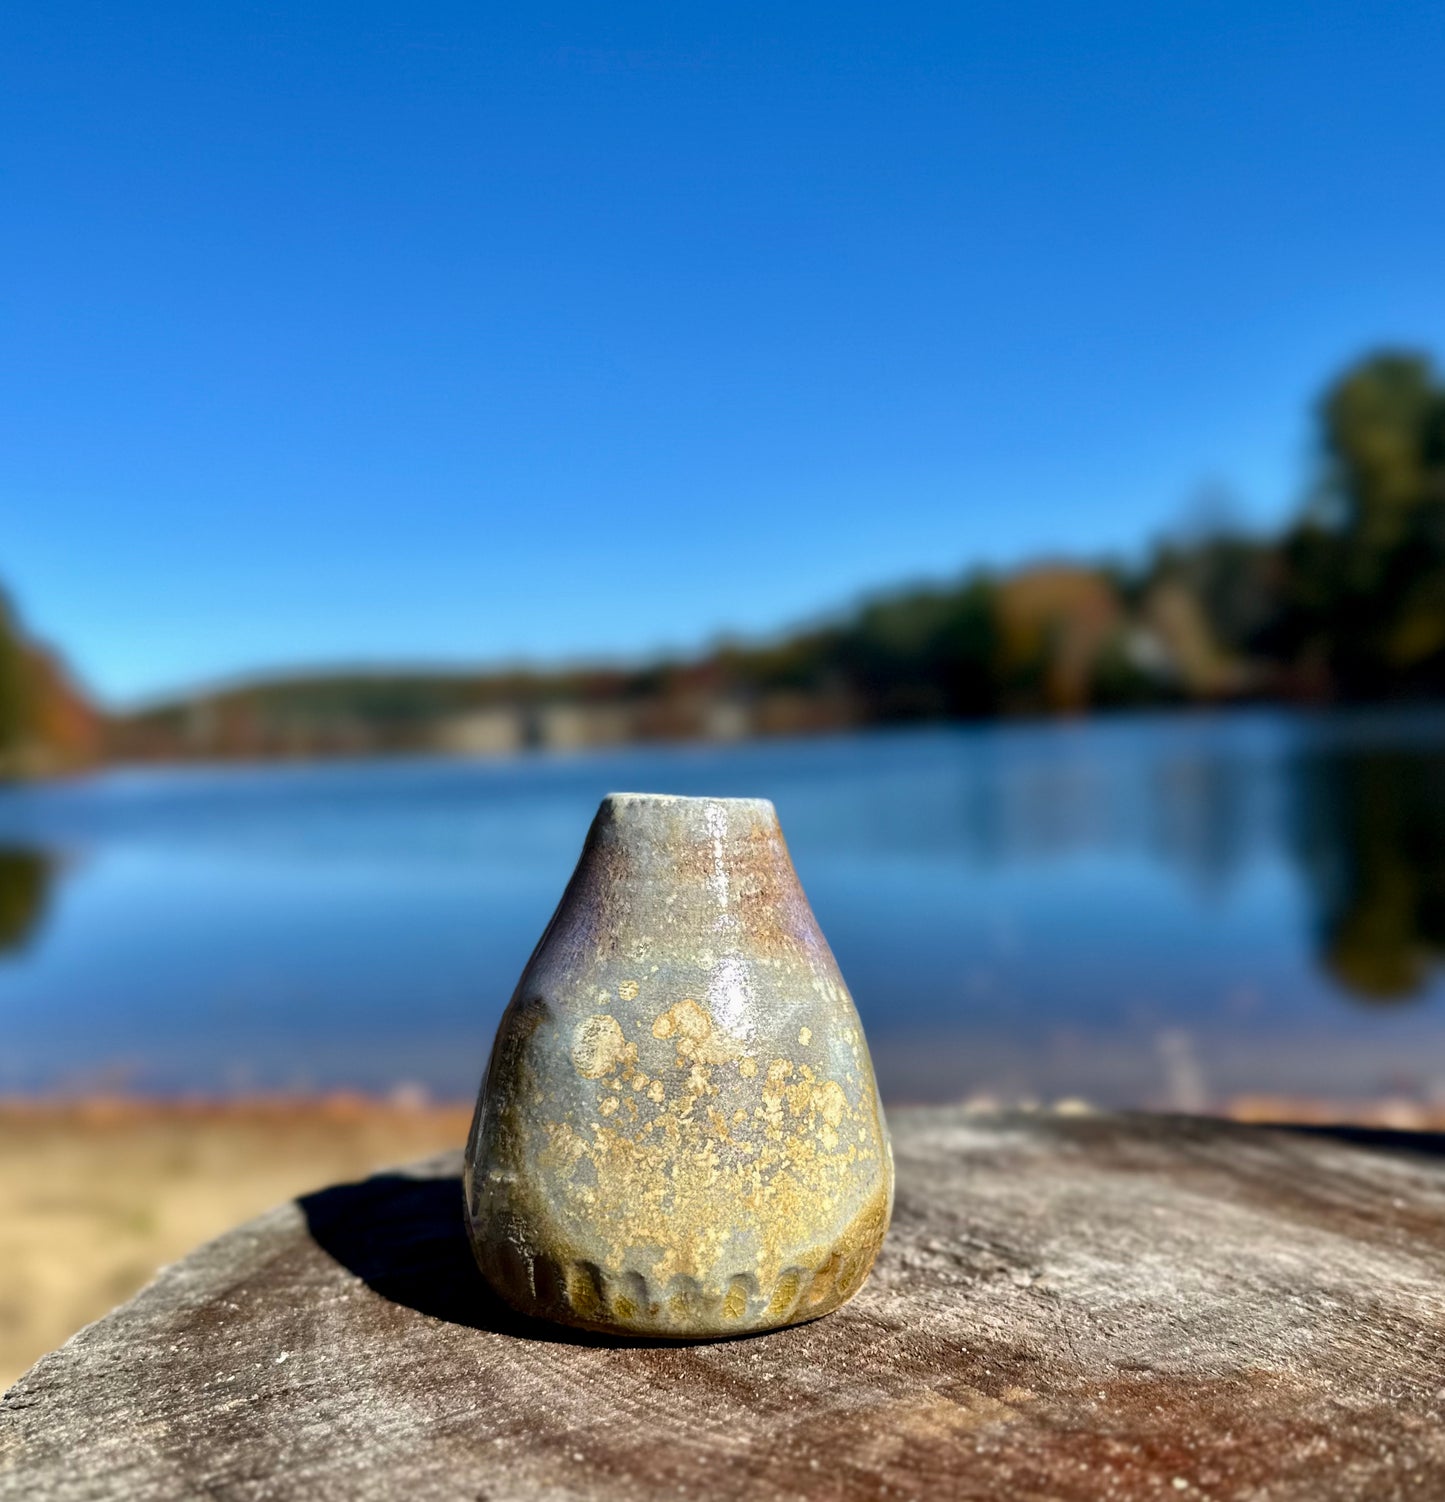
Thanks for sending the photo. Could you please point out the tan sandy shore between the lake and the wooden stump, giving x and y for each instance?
(95, 1196)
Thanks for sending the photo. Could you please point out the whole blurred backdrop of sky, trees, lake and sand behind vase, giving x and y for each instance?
(1010, 439)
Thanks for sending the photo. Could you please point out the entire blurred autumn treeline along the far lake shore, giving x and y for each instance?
(1348, 603)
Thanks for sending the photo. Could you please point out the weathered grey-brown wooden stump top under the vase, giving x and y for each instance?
(1109, 1307)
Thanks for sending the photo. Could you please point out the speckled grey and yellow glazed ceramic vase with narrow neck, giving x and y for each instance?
(680, 1133)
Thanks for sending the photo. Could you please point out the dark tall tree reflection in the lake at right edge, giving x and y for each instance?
(1371, 834)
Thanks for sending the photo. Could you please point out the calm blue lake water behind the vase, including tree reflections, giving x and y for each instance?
(1165, 911)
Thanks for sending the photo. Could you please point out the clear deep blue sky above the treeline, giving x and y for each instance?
(466, 333)
